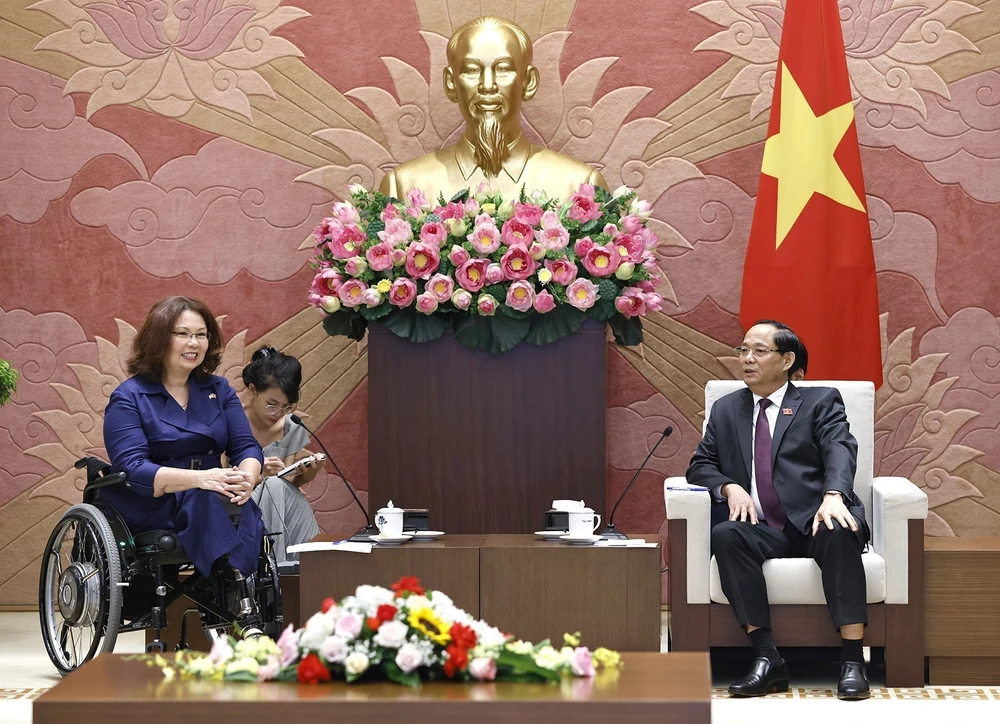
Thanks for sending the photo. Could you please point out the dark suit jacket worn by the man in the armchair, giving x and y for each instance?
(812, 452)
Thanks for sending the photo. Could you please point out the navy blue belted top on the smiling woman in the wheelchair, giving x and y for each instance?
(145, 429)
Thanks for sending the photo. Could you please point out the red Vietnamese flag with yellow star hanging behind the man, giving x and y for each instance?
(810, 262)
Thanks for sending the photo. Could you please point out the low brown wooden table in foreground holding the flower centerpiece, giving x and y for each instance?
(661, 688)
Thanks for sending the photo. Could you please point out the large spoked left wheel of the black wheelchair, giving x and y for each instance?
(79, 596)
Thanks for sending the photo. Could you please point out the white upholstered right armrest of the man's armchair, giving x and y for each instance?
(895, 502)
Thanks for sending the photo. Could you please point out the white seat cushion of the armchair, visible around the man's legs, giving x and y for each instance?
(799, 581)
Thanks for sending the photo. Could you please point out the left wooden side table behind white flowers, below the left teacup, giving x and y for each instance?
(450, 564)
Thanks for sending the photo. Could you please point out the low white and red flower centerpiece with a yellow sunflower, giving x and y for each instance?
(406, 635)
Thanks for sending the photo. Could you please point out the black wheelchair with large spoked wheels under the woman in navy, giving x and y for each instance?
(97, 580)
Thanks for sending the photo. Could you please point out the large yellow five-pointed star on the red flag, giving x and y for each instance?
(800, 156)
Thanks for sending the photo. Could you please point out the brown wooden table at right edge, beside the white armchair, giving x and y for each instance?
(961, 603)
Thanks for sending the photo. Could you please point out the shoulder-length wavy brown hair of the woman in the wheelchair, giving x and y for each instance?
(152, 343)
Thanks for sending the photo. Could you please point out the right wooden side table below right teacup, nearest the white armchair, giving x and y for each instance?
(539, 589)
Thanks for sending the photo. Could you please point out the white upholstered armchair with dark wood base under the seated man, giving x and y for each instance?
(895, 510)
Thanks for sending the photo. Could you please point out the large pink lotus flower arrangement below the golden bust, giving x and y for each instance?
(496, 272)
